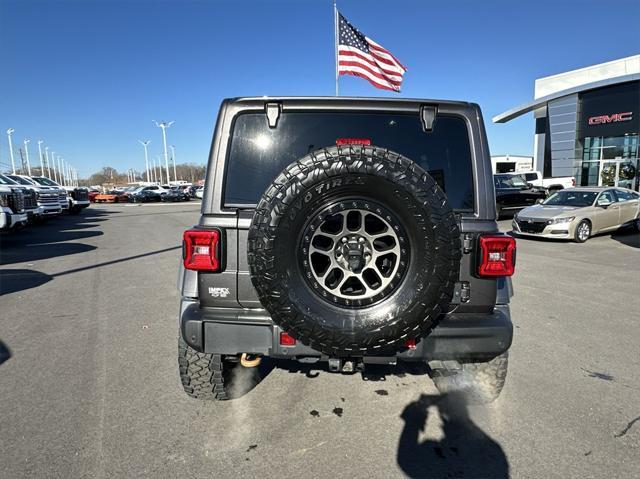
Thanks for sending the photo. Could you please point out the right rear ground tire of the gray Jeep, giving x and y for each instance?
(479, 383)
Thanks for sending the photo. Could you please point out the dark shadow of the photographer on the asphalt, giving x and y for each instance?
(464, 450)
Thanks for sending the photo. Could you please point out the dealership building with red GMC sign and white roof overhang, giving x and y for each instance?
(588, 124)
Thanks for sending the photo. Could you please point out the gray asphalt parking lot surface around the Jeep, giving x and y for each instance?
(89, 384)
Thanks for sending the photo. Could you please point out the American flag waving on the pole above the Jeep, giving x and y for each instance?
(360, 56)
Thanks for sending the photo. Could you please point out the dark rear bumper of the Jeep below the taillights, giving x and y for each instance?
(235, 331)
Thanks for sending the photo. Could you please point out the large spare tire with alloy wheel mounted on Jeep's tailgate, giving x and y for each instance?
(354, 250)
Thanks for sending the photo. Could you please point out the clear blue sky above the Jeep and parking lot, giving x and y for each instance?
(89, 76)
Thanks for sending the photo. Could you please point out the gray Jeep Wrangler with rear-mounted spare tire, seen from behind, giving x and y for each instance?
(346, 232)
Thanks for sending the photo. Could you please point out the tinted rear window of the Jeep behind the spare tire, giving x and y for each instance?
(258, 153)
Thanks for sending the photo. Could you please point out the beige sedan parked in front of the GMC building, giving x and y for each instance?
(578, 213)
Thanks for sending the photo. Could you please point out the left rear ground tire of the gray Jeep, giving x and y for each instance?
(212, 376)
